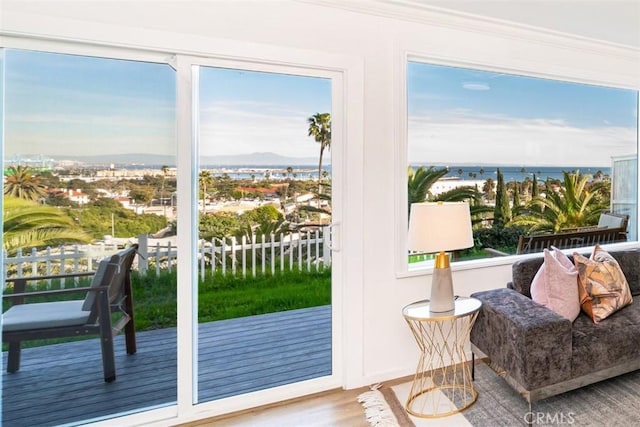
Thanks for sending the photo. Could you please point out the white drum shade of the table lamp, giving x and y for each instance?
(441, 226)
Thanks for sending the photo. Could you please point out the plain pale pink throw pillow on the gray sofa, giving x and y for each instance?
(555, 285)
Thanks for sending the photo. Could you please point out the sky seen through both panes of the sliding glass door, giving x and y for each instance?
(62, 105)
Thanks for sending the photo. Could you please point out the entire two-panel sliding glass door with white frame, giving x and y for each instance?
(107, 144)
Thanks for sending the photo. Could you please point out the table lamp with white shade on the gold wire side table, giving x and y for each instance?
(437, 228)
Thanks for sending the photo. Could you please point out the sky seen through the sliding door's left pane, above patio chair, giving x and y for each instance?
(64, 105)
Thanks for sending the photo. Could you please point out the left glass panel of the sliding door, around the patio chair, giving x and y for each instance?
(89, 149)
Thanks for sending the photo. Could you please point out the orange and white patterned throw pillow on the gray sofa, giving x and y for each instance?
(602, 286)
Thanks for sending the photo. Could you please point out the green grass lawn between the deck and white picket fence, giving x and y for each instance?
(219, 297)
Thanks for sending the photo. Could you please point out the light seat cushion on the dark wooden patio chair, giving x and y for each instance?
(44, 315)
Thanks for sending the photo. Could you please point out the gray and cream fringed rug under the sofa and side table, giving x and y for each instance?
(613, 402)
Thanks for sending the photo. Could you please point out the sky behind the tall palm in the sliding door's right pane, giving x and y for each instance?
(260, 112)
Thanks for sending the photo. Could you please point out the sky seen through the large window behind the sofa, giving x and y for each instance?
(494, 118)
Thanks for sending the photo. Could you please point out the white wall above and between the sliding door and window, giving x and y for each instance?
(378, 343)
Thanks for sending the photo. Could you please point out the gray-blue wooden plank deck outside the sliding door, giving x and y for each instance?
(63, 383)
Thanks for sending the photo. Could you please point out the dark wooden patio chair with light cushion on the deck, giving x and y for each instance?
(110, 292)
